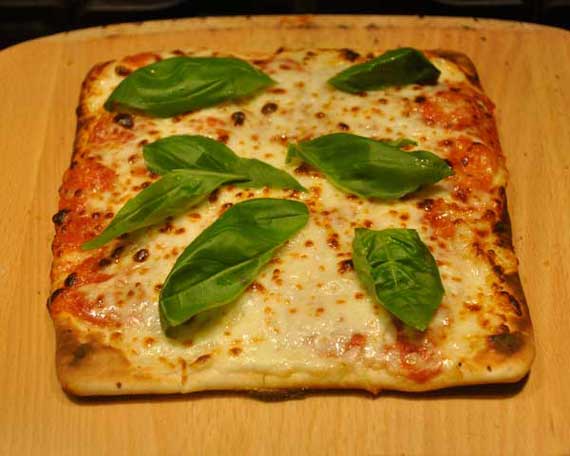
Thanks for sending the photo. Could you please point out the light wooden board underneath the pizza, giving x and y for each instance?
(525, 70)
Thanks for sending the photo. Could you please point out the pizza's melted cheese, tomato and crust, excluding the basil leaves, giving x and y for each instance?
(306, 321)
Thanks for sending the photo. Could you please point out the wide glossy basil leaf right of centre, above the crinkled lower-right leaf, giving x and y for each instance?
(370, 168)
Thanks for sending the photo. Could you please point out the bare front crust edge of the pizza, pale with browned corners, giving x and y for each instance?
(87, 366)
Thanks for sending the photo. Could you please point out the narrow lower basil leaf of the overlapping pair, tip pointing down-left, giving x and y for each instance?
(173, 194)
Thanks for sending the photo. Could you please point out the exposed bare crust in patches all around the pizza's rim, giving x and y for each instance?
(89, 362)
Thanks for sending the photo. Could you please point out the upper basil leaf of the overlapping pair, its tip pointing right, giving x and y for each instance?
(200, 152)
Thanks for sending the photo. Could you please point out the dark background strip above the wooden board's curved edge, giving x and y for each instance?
(25, 19)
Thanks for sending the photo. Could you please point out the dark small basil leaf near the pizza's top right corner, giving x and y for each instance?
(393, 68)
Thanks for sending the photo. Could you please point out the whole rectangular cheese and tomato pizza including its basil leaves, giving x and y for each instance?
(307, 219)
